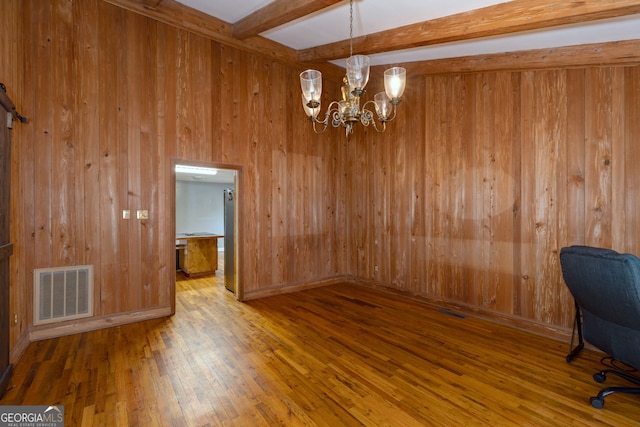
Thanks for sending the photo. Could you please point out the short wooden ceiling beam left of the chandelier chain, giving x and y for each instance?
(275, 14)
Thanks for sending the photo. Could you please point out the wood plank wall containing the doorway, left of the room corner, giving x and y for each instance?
(111, 98)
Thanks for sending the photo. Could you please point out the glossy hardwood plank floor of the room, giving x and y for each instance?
(341, 355)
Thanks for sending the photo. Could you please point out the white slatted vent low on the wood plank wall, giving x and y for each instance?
(62, 293)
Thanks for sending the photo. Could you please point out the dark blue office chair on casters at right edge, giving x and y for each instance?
(606, 287)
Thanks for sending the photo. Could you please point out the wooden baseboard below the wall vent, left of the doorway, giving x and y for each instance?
(85, 325)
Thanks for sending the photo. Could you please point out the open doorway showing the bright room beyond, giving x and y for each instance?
(206, 238)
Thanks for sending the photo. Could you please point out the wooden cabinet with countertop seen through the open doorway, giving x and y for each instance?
(199, 254)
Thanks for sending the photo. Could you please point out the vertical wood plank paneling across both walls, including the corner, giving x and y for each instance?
(466, 199)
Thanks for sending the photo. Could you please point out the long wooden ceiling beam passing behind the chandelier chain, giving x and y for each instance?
(504, 18)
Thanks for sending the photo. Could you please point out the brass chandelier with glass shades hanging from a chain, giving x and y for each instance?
(347, 111)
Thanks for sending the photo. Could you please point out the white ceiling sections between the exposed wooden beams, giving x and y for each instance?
(371, 16)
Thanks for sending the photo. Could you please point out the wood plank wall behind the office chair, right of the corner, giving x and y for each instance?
(485, 176)
